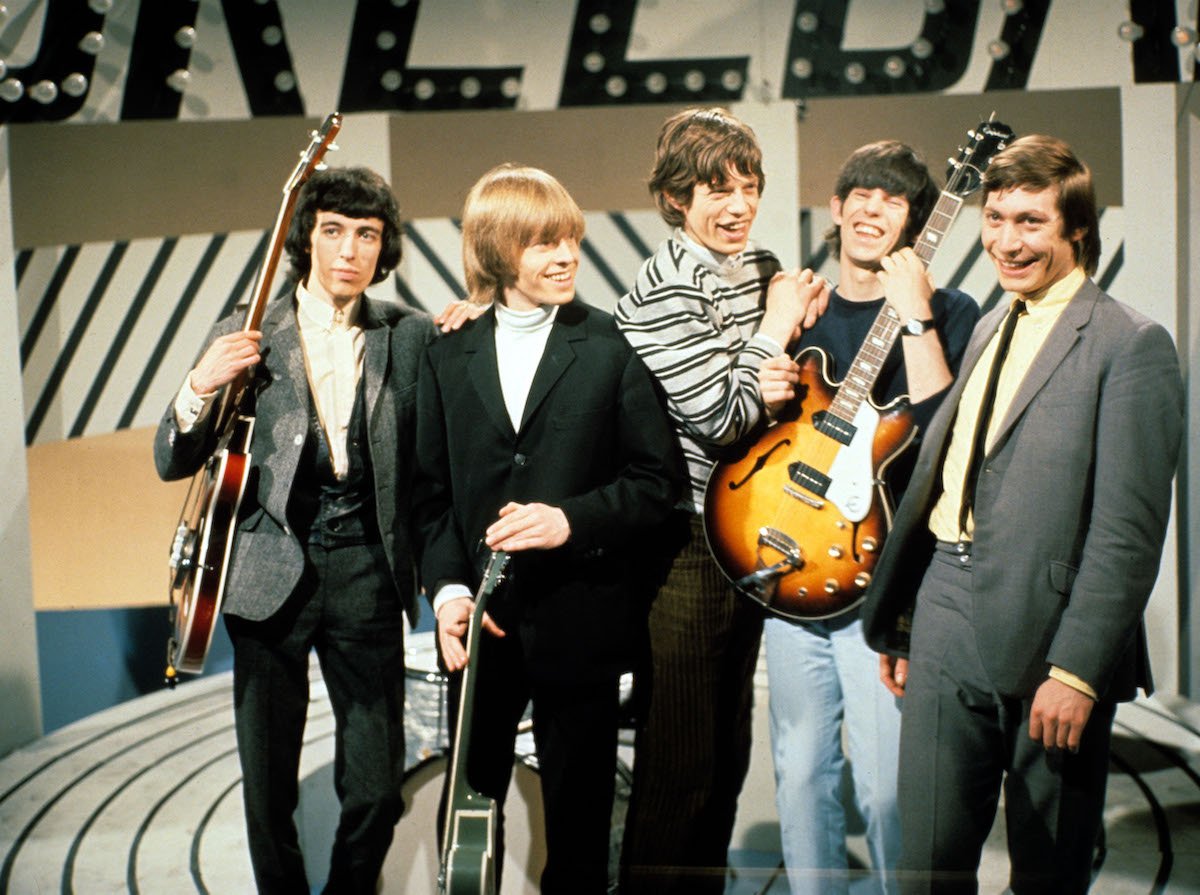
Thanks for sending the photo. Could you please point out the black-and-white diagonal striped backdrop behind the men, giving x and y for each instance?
(109, 331)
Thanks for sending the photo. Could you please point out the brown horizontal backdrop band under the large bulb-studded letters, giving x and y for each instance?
(75, 184)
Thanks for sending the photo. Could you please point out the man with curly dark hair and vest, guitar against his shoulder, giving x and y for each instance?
(321, 557)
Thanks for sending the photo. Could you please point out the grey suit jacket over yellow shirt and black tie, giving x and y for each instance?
(1071, 507)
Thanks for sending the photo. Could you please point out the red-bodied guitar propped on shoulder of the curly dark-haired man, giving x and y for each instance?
(200, 552)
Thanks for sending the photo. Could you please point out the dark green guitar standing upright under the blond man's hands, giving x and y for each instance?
(469, 842)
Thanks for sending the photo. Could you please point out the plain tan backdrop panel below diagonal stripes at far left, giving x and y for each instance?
(101, 522)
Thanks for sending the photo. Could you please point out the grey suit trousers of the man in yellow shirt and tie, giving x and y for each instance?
(961, 742)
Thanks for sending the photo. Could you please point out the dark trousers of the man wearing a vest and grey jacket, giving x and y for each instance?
(347, 609)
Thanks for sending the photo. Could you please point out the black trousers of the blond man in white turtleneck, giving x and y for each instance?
(575, 734)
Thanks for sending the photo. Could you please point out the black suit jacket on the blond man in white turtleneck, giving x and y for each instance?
(595, 442)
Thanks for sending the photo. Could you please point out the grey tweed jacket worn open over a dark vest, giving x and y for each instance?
(268, 558)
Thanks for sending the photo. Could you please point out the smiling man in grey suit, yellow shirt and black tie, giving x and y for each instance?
(1028, 552)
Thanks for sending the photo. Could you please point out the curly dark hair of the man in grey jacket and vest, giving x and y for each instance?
(355, 193)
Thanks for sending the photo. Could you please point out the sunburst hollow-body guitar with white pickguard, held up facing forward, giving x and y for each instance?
(797, 520)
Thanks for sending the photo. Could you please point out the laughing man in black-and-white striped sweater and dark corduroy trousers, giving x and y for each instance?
(709, 309)
